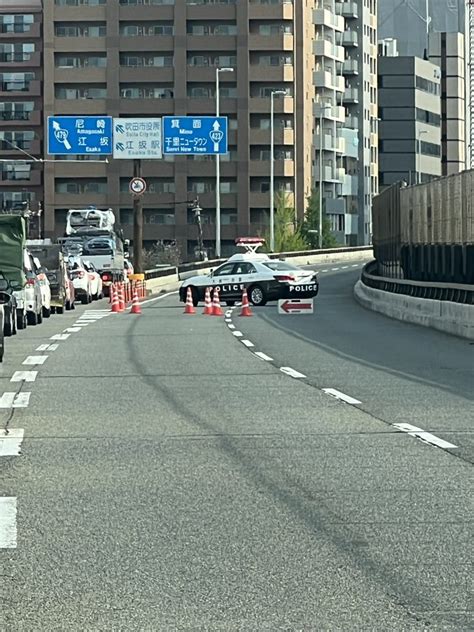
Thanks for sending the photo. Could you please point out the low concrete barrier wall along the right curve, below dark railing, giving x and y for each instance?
(451, 318)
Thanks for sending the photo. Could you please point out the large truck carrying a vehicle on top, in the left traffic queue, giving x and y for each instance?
(92, 235)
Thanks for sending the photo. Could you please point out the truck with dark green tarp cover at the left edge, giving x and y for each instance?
(12, 261)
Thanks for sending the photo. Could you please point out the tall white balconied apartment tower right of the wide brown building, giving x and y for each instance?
(346, 115)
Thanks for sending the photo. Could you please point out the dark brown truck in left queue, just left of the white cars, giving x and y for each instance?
(53, 260)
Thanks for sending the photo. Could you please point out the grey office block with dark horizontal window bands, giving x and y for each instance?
(410, 126)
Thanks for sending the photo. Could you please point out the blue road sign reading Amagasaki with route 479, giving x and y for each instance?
(79, 135)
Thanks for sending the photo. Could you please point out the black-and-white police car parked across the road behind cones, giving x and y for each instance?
(265, 279)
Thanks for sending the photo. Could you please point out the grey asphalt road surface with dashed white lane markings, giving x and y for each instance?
(174, 477)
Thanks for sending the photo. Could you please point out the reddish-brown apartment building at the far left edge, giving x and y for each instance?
(21, 136)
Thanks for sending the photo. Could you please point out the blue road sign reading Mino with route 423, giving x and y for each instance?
(195, 135)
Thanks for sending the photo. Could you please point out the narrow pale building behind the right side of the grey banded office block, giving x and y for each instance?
(446, 50)
